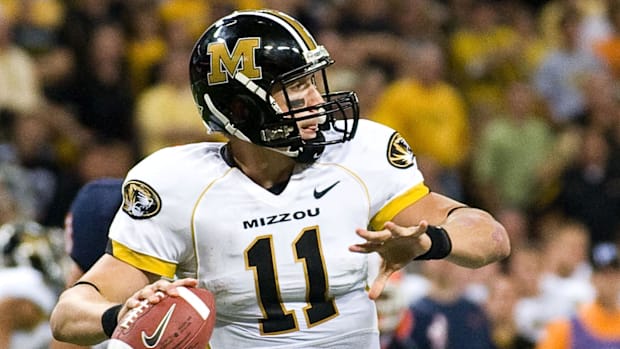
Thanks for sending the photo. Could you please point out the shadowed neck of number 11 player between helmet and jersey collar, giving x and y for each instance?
(263, 166)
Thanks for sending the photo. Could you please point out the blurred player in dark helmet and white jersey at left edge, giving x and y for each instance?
(30, 264)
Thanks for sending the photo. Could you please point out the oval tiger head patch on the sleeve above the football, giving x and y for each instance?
(140, 201)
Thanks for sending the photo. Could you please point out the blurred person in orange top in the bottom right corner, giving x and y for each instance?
(597, 324)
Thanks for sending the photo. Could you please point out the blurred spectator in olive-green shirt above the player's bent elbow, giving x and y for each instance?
(511, 152)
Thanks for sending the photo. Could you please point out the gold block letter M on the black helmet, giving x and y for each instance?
(225, 63)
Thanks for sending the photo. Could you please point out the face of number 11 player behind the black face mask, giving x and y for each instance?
(302, 93)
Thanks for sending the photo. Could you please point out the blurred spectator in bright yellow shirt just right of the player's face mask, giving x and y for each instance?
(428, 109)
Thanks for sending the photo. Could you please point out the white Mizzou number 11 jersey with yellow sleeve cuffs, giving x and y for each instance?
(278, 264)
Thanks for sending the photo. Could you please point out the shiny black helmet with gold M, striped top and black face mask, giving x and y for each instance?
(243, 59)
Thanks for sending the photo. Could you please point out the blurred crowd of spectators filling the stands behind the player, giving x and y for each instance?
(512, 106)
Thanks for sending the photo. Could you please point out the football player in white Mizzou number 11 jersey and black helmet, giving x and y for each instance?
(278, 221)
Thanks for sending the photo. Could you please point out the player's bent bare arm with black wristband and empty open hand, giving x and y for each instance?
(473, 238)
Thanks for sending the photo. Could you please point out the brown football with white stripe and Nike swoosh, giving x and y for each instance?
(186, 321)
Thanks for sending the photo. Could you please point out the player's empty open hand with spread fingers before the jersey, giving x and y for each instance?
(397, 246)
